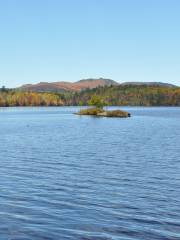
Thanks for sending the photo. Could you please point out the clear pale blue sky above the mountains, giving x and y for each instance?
(67, 40)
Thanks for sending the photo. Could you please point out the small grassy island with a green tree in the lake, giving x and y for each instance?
(97, 109)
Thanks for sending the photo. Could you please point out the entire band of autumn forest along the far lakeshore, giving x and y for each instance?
(129, 95)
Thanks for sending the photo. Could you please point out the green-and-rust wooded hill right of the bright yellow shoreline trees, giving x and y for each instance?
(131, 95)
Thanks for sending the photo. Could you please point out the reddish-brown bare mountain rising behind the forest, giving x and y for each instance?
(68, 86)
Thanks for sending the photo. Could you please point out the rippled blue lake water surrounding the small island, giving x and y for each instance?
(63, 176)
